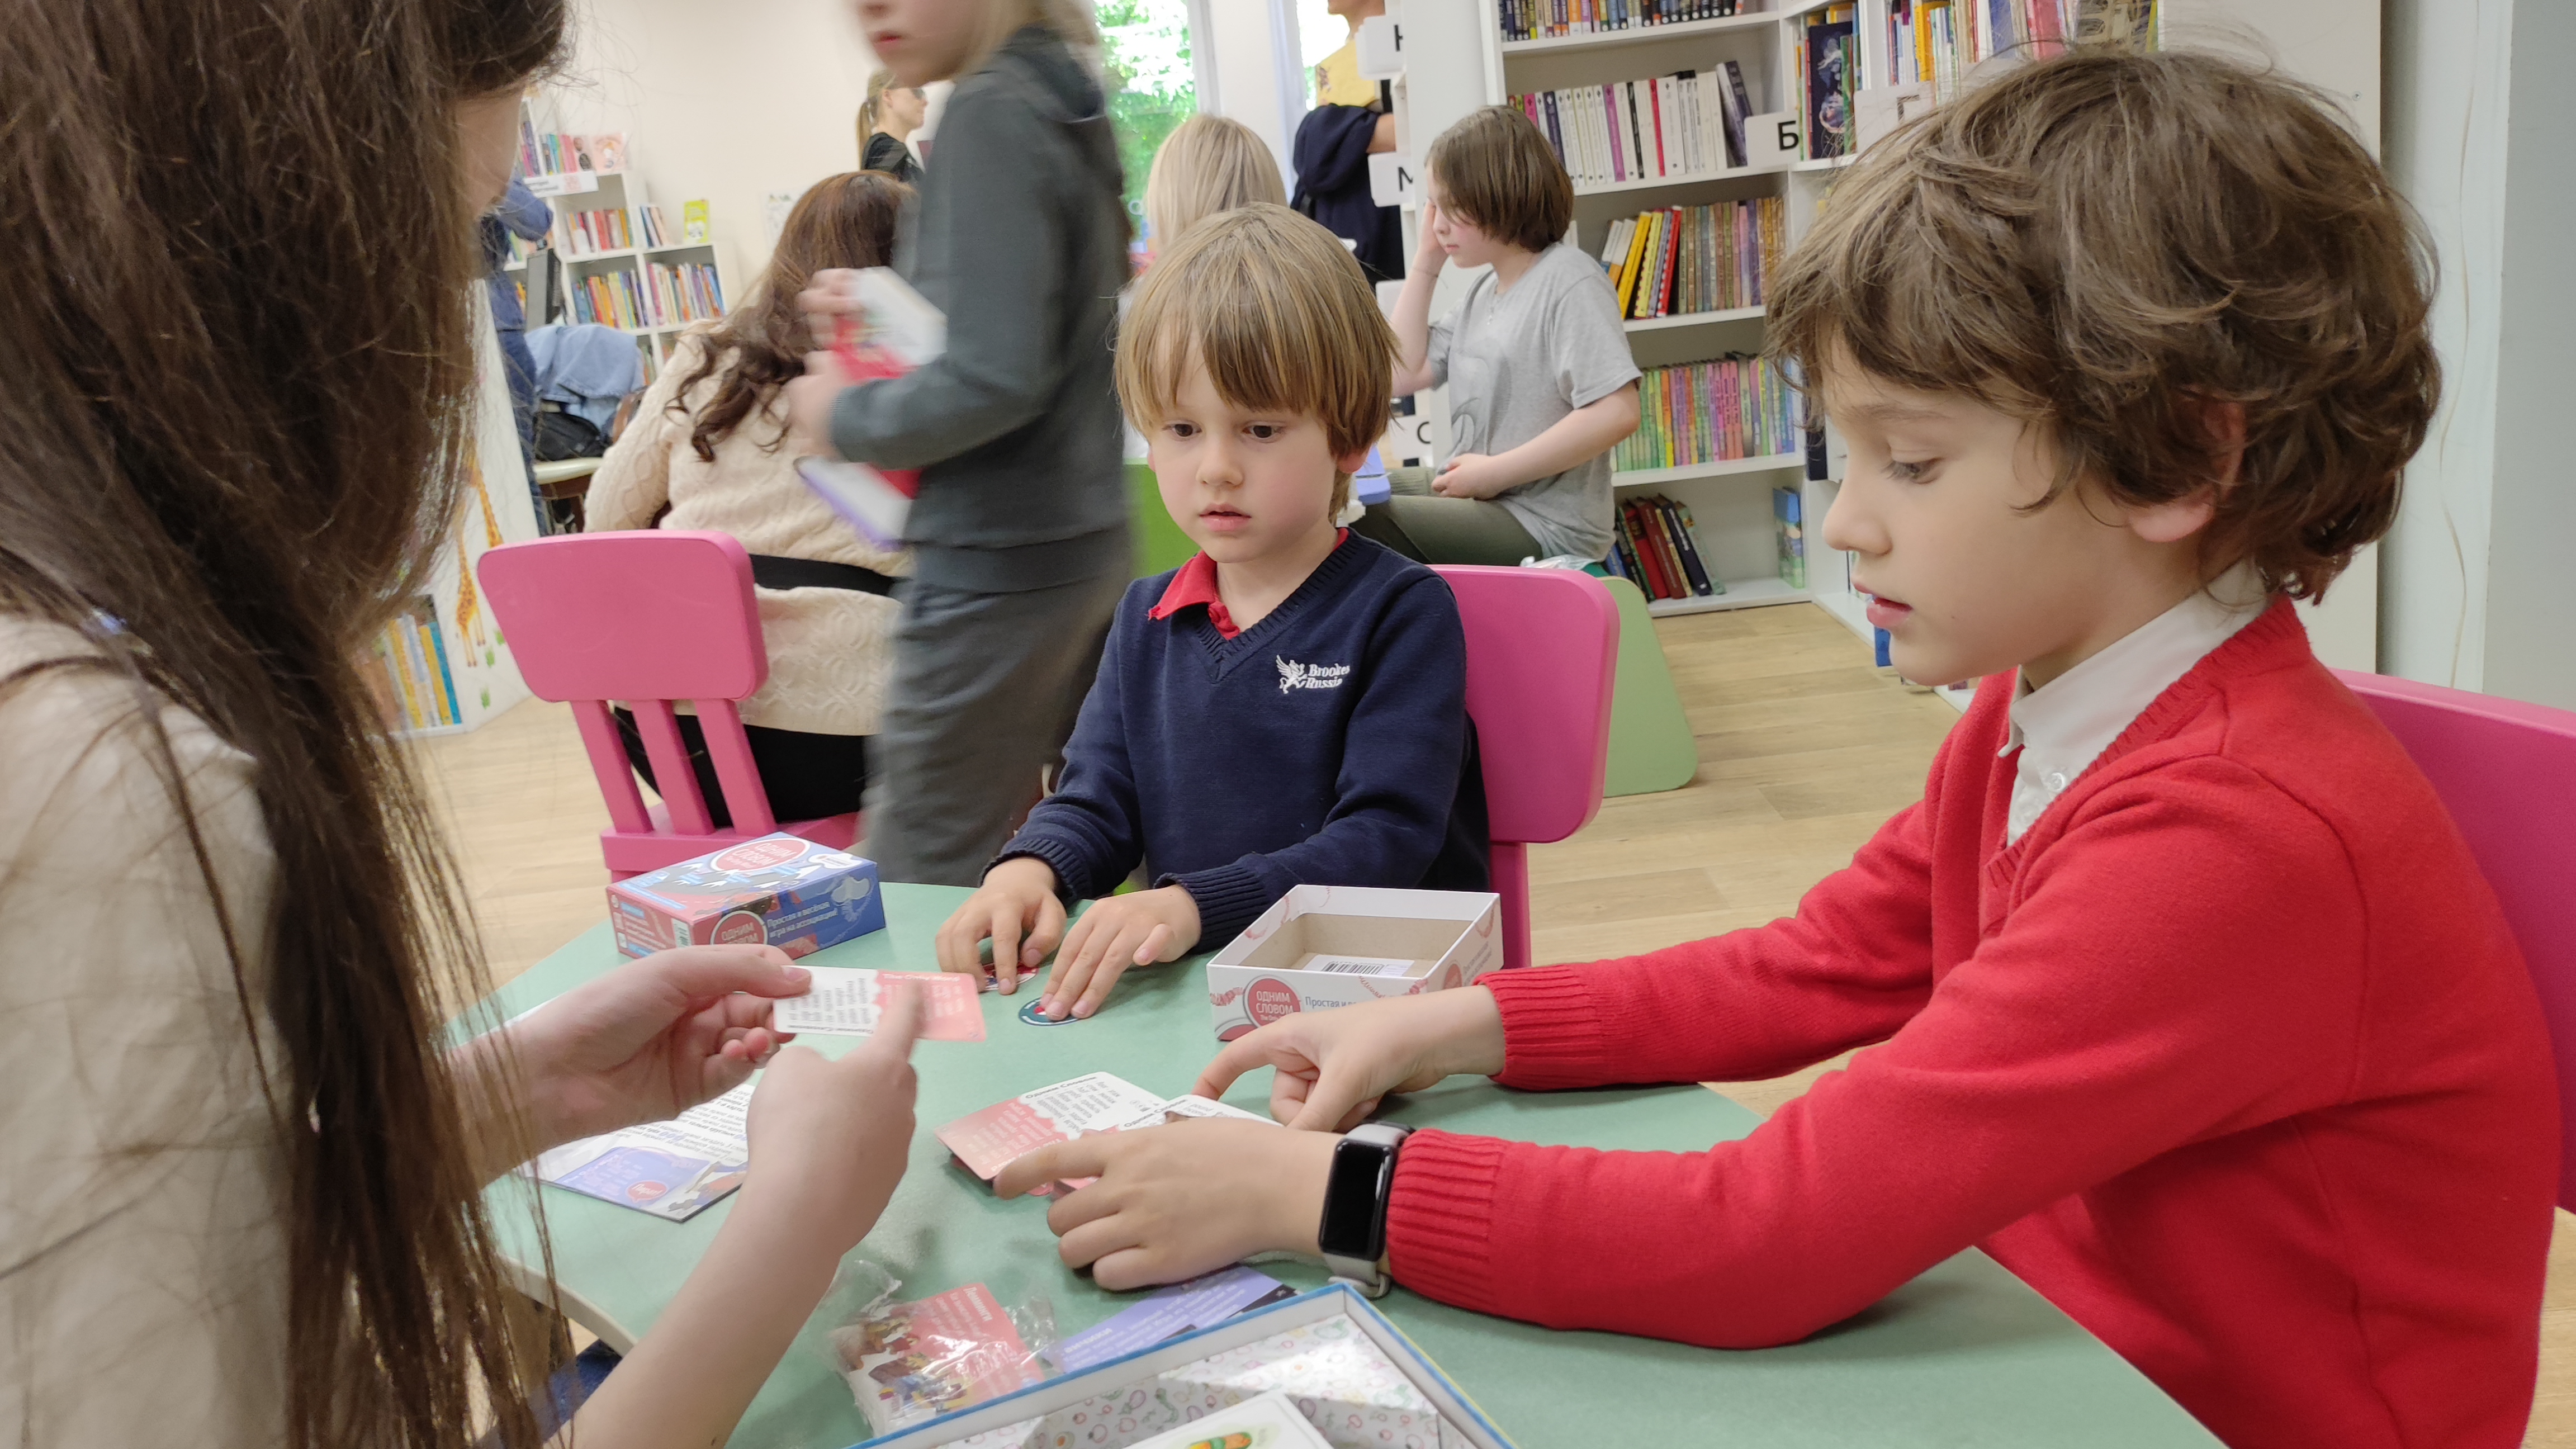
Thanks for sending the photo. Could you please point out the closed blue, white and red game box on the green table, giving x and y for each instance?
(779, 891)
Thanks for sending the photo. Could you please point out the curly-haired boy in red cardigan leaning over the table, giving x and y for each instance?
(2183, 994)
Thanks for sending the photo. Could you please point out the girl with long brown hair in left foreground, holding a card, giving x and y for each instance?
(241, 1164)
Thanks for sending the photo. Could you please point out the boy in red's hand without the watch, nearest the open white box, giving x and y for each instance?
(1336, 1066)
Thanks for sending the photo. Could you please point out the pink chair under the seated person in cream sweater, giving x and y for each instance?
(650, 620)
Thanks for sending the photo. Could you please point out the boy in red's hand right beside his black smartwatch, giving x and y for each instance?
(1181, 1200)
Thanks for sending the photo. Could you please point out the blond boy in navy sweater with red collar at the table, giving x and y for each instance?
(1289, 705)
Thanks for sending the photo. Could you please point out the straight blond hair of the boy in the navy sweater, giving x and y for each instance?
(1279, 313)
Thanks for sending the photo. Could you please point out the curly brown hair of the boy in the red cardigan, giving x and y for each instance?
(2106, 244)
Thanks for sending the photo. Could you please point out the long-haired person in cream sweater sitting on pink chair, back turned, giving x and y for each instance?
(707, 445)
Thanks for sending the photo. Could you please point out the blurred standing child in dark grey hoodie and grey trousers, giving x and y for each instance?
(1021, 525)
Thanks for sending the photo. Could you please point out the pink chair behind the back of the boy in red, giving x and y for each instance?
(2508, 772)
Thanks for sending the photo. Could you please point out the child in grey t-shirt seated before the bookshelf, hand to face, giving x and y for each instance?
(1537, 362)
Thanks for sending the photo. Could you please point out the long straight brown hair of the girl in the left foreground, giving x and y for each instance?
(236, 383)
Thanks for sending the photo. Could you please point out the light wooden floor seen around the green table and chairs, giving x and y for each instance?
(1804, 752)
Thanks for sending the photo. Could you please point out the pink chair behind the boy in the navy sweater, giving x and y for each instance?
(1542, 648)
